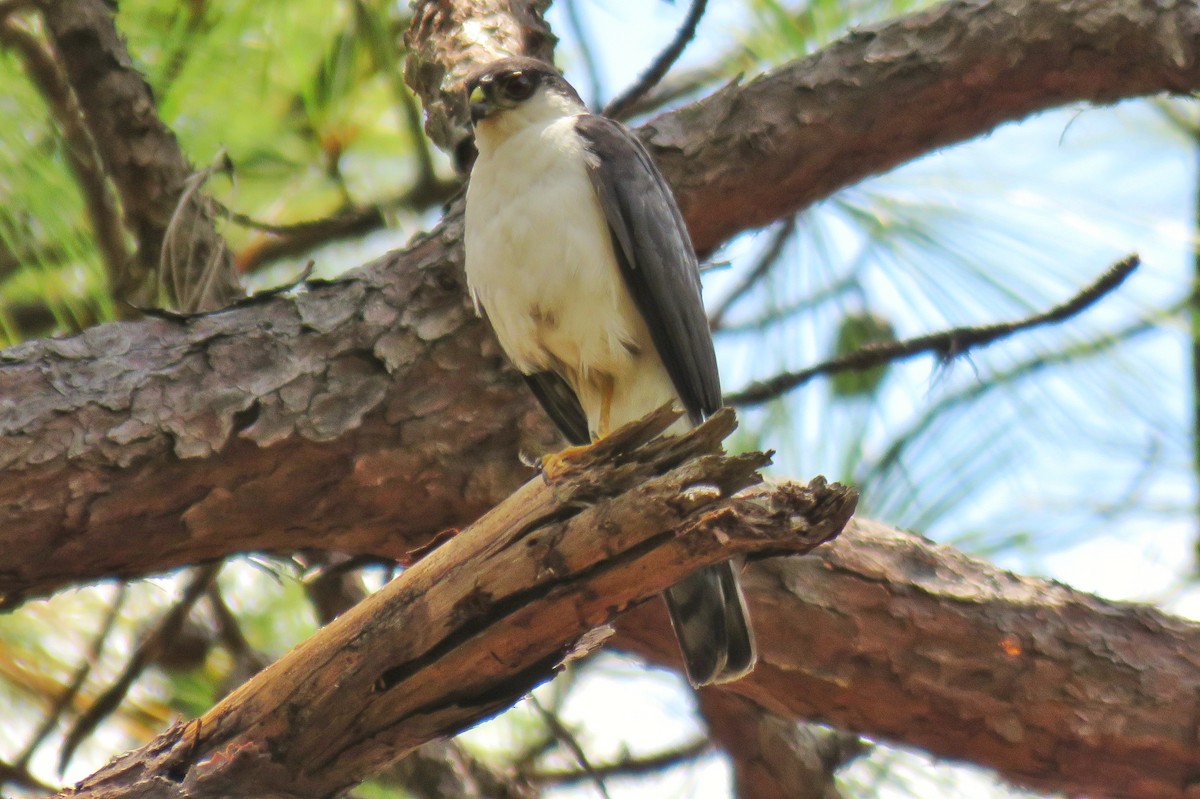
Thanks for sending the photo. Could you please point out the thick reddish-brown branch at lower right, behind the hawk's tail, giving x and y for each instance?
(890, 635)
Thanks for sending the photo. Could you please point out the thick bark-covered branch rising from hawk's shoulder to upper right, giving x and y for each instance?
(887, 94)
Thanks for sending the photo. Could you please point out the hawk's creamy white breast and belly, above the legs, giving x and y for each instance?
(539, 256)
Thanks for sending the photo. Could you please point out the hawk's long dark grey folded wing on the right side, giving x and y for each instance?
(657, 260)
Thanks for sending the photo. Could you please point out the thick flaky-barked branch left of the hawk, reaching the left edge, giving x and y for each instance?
(364, 416)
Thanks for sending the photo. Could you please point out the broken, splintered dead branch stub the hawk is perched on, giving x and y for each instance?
(469, 630)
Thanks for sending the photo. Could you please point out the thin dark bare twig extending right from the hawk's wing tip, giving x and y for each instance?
(946, 345)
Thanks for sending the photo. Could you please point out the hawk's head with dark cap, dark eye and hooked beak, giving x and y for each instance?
(513, 93)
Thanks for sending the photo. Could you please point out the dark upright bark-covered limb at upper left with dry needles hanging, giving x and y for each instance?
(171, 220)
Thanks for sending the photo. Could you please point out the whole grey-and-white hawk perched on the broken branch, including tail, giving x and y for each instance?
(579, 259)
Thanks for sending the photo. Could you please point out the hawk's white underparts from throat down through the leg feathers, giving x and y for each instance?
(541, 262)
